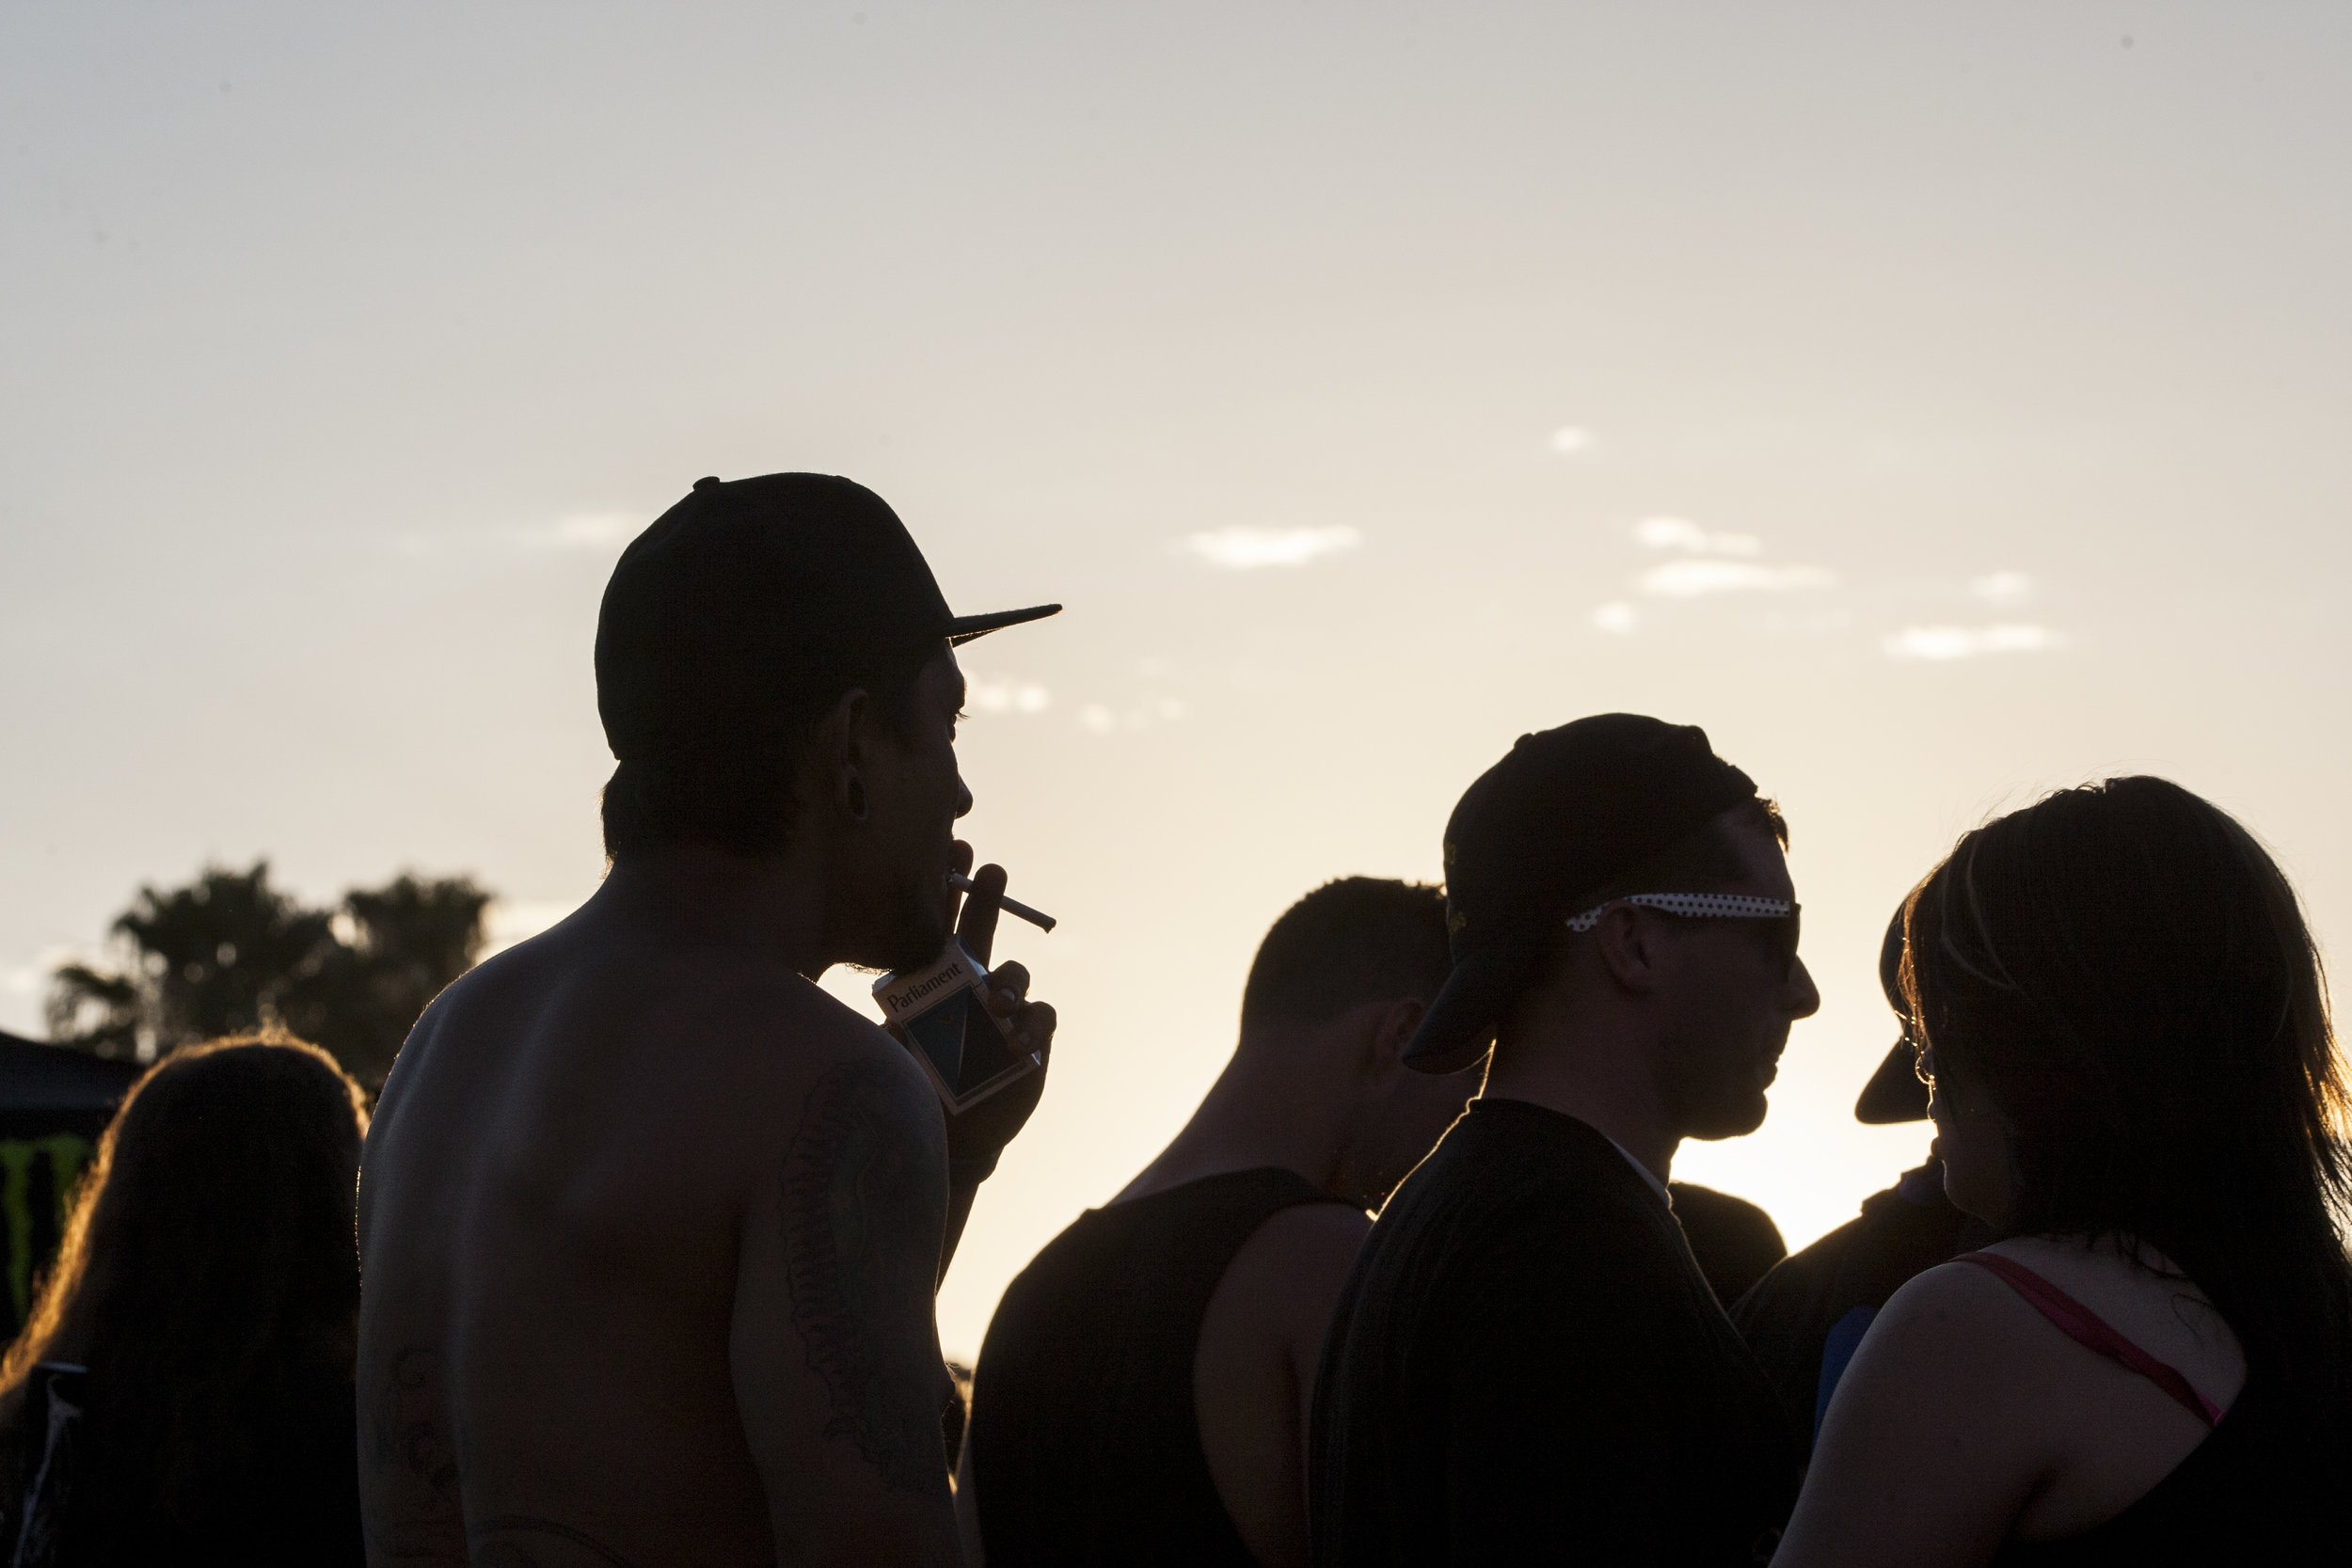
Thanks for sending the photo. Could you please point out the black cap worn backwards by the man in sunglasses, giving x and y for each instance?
(1537, 836)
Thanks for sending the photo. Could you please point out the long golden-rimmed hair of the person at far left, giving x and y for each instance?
(208, 1280)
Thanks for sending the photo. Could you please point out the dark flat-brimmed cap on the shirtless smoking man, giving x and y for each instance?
(747, 594)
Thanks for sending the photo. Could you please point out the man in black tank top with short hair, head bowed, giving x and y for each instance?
(1144, 1386)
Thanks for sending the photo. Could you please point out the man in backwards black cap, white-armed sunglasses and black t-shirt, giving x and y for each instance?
(1528, 1365)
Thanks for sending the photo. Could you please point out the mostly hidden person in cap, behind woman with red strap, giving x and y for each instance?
(1808, 1315)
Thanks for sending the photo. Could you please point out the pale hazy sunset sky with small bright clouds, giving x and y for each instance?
(1937, 403)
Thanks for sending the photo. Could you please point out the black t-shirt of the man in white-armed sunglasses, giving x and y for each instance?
(1530, 1367)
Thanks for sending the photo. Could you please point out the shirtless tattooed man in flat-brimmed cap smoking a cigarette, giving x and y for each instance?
(650, 1226)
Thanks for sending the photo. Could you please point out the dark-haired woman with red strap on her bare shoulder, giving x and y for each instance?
(2134, 1083)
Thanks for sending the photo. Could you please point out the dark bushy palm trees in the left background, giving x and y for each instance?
(232, 953)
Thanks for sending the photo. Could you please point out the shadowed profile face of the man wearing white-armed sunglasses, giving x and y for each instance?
(1730, 1003)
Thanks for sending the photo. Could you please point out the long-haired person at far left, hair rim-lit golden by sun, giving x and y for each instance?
(182, 1388)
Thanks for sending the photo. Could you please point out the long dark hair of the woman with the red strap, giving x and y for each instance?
(2132, 979)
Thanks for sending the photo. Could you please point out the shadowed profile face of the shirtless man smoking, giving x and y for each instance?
(914, 796)
